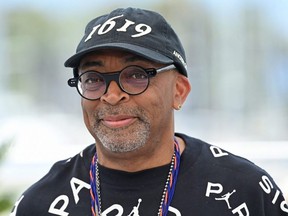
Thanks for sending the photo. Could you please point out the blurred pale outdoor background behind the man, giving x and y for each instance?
(237, 54)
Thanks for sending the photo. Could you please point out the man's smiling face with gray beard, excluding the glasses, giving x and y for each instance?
(123, 122)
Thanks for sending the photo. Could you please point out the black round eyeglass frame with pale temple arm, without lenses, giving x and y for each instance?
(115, 76)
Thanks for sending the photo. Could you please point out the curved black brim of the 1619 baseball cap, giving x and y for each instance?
(152, 55)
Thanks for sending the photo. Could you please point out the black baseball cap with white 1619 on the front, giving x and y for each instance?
(142, 32)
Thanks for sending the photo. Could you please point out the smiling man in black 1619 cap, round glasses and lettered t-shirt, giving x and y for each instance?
(130, 71)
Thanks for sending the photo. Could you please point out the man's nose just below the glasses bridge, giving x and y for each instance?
(114, 94)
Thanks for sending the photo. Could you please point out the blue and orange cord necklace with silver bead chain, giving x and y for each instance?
(168, 191)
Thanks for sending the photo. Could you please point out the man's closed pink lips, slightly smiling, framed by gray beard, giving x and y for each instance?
(118, 121)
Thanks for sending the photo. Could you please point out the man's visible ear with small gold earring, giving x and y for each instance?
(182, 89)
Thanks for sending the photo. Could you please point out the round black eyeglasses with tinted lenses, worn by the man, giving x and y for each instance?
(133, 80)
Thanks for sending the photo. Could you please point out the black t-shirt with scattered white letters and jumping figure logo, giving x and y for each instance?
(211, 181)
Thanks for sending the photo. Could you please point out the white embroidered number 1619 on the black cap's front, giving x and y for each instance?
(141, 29)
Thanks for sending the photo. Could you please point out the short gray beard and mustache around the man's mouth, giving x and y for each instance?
(121, 140)
